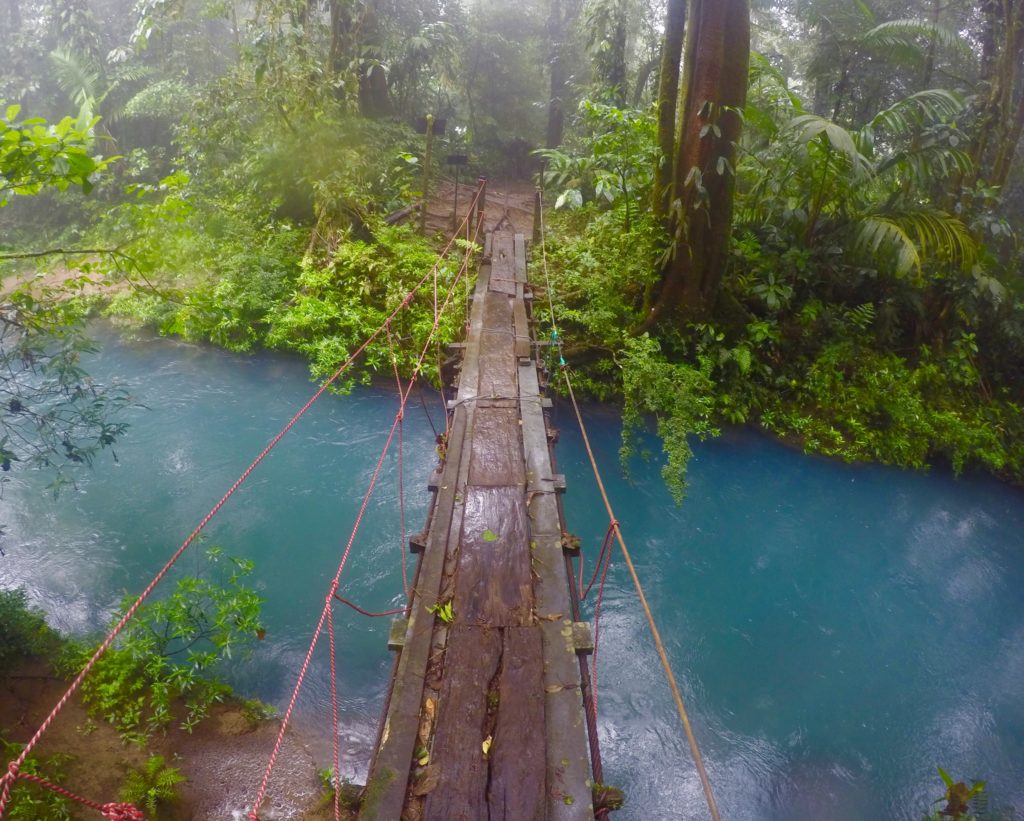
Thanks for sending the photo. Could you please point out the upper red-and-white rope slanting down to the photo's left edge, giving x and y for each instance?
(9, 777)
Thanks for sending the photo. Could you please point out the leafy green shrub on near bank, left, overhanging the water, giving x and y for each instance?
(172, 653)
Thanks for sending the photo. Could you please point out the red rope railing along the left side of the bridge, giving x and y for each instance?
(14, 771)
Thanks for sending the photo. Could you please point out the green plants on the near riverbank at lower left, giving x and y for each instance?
(164, 669)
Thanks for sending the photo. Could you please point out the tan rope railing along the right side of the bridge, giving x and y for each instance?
(615, 527)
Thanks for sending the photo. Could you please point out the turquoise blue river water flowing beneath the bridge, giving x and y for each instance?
(838, 631)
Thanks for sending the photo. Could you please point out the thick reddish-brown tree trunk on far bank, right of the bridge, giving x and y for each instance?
(711, 99)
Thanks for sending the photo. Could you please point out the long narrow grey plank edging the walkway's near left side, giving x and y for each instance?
(390, 769)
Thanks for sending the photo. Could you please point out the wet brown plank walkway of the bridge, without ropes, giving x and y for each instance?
(485, 719)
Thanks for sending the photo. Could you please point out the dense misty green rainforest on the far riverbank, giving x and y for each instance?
(827, 249)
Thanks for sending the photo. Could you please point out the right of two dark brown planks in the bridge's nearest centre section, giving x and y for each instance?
(518, 755)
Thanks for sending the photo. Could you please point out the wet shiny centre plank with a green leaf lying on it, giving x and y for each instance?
(494, 585)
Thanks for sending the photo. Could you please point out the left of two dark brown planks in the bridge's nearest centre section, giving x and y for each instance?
(461, 794)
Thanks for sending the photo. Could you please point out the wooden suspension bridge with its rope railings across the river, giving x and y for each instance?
(489, 713)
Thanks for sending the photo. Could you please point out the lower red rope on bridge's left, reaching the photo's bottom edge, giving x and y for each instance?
(318, 632)
